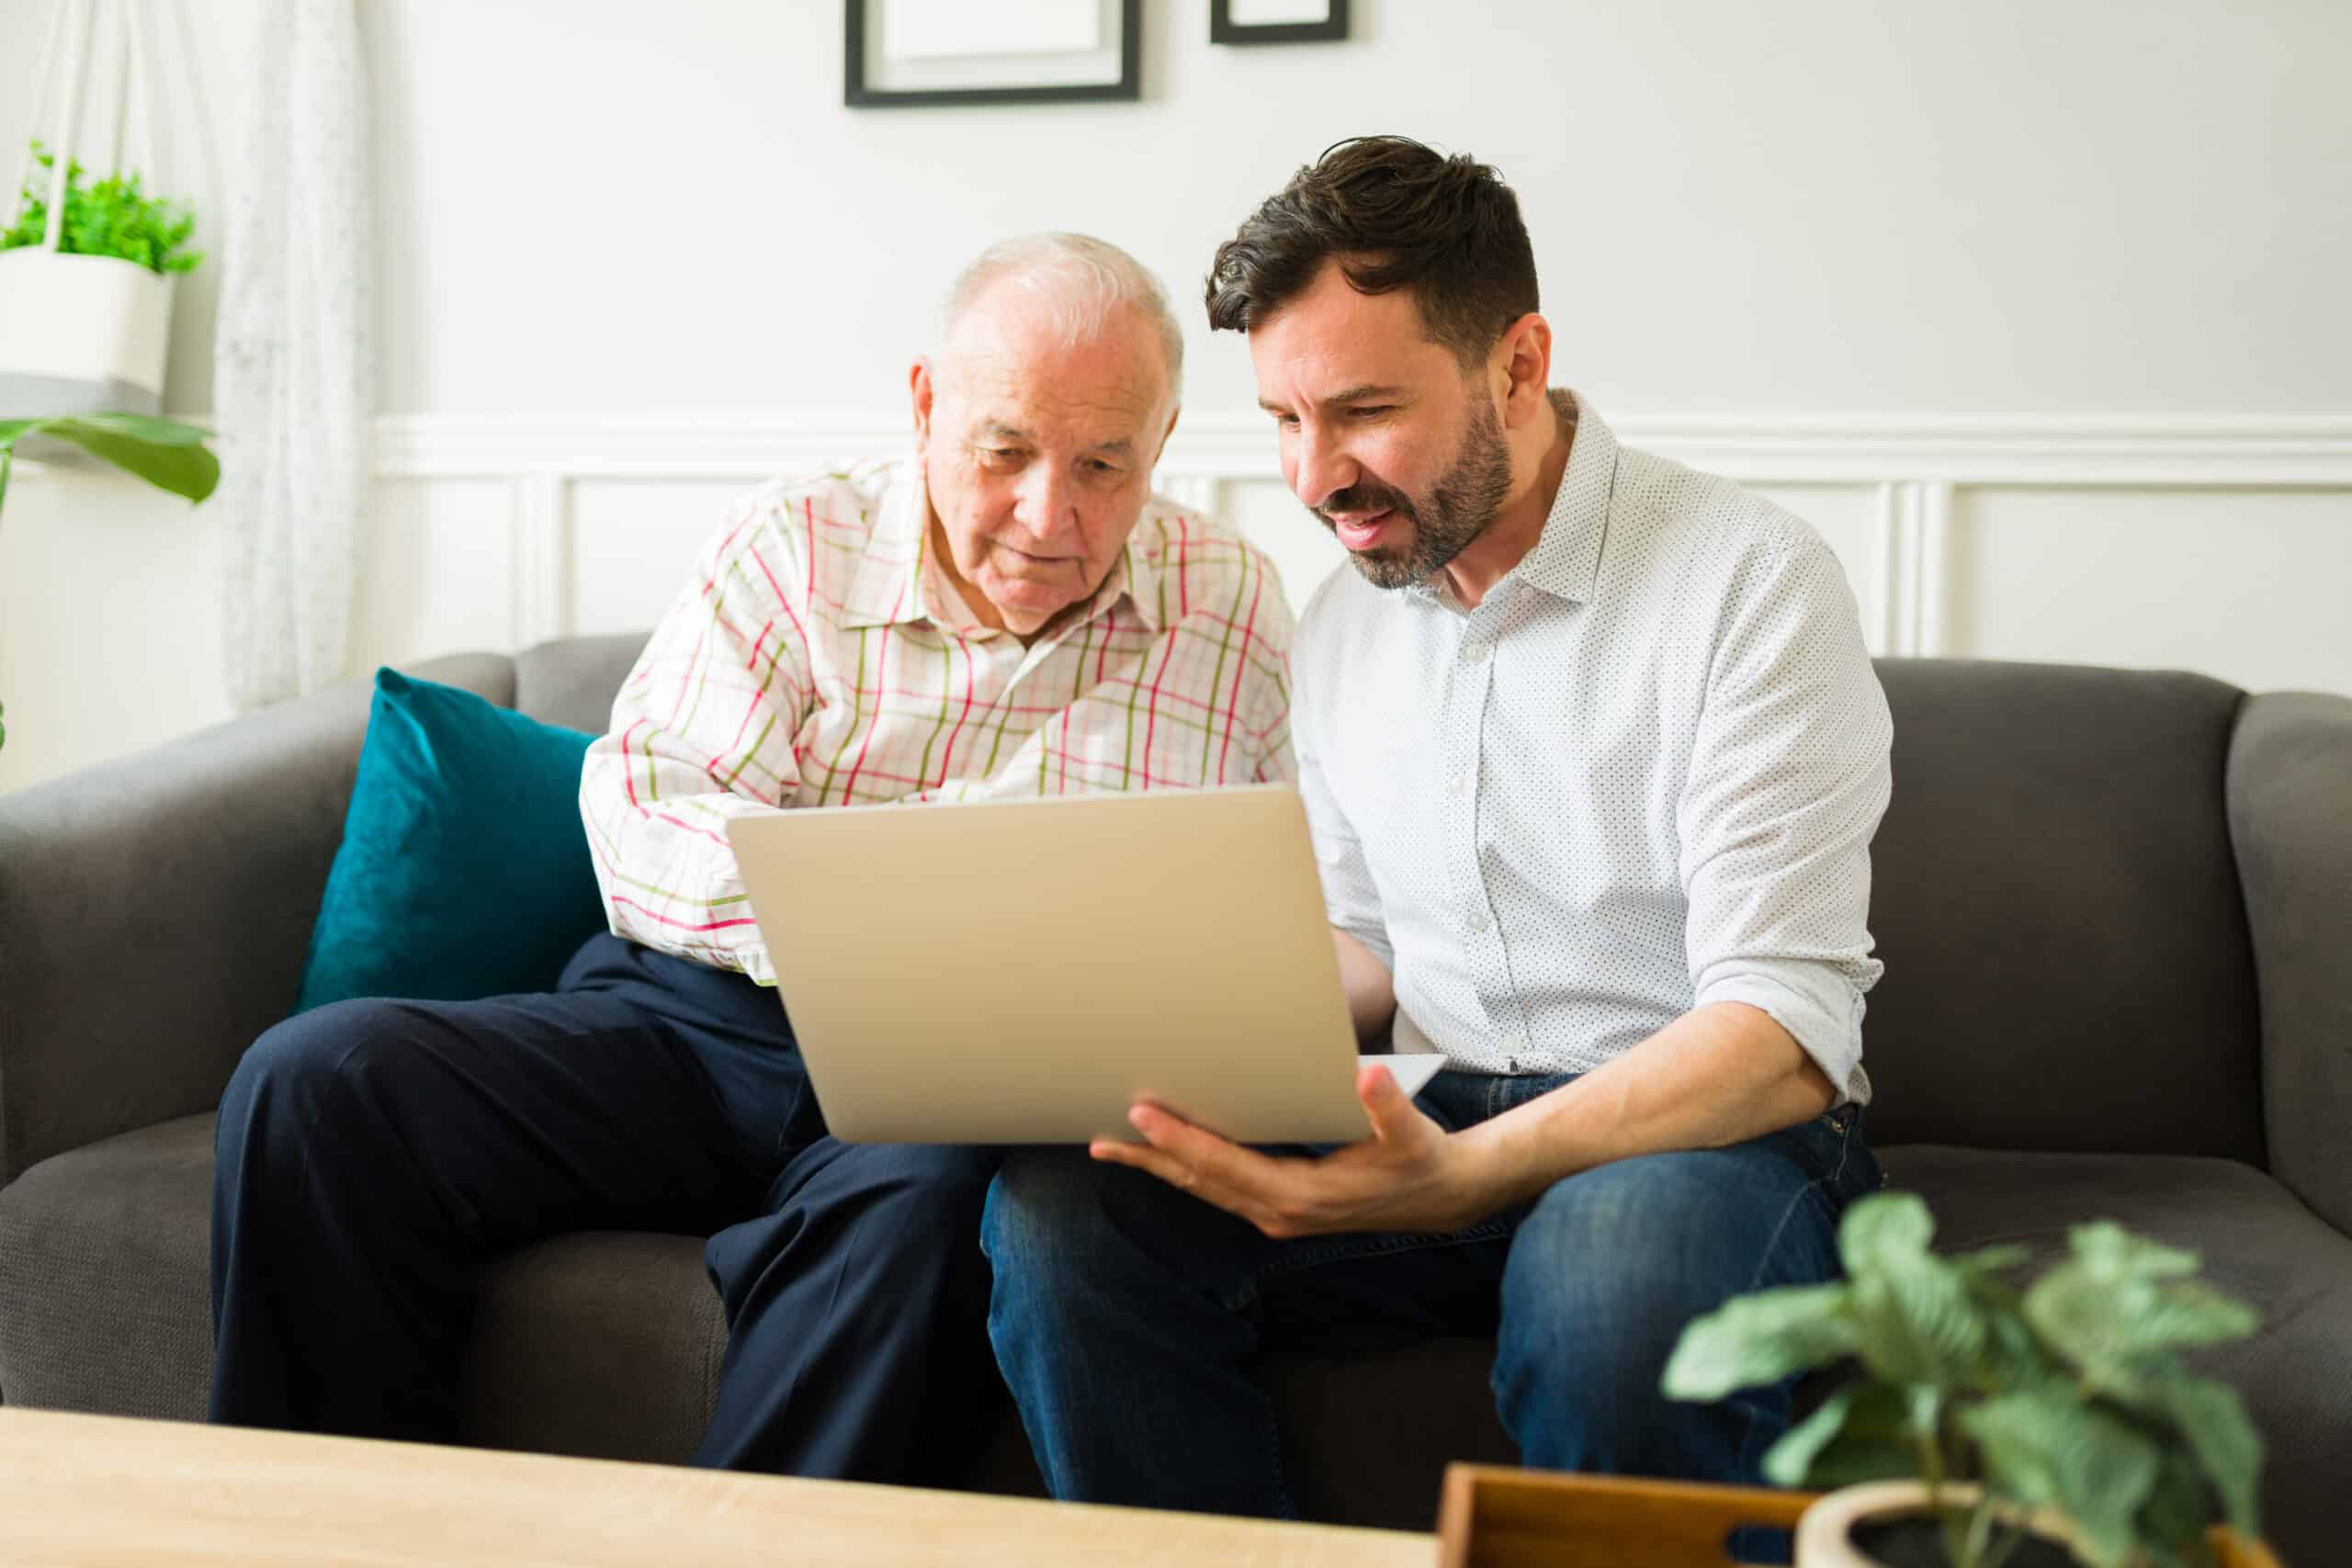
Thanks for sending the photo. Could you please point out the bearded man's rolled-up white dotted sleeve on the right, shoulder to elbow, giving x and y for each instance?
(1786, 789)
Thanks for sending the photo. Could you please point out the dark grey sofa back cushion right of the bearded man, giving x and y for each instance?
(2059, 911)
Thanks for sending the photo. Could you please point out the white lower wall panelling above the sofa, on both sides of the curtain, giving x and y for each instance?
(2219, 544)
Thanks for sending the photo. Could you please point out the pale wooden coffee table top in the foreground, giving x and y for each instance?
(100, 1489)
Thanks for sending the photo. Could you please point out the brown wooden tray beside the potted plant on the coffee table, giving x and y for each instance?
(1497, 1517)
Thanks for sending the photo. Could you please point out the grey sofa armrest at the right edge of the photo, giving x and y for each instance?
(2292, 826)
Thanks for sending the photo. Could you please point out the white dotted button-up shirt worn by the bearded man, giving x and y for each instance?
(1641, 777)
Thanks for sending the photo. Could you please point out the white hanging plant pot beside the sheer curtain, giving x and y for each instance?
(81, 335)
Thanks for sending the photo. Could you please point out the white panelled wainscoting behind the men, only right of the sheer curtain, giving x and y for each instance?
(2212, 544)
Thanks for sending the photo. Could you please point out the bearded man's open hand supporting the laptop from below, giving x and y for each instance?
(1408, 1177)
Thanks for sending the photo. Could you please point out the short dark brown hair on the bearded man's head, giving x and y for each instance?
(1398, 217)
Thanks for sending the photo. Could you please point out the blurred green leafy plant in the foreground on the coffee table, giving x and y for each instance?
(2069, 1395)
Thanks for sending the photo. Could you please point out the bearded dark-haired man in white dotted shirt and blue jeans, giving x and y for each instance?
(1593, 758)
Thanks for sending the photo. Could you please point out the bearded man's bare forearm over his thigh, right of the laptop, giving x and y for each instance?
(1713, 1078)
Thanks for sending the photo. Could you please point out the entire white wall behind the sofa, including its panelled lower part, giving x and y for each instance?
(2033, 309)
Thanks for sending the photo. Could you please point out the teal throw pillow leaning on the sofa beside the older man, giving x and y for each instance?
(465, 866)
